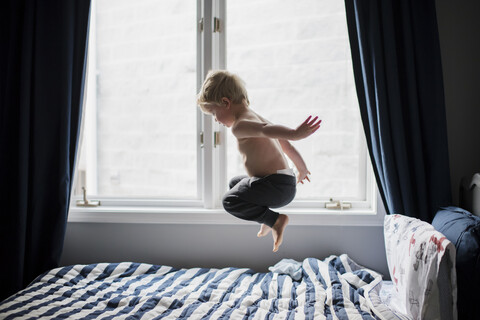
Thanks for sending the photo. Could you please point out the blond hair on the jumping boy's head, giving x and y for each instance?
(219, 84)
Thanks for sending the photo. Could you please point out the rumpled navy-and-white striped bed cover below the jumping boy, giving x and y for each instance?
(335, 288)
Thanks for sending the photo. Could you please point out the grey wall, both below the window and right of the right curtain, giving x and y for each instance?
(232, 245)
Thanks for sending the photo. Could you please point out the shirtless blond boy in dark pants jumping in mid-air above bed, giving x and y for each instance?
(270, 182)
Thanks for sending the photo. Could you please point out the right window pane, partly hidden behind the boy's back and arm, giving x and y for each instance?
(295, 59)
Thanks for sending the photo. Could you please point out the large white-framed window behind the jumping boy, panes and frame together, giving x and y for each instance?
(145, 142)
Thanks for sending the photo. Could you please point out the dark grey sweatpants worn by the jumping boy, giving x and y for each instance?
(250, 198)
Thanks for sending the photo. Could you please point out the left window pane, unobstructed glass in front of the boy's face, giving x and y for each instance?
(146, 109)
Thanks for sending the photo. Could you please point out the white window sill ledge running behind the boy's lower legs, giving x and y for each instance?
(189, 215)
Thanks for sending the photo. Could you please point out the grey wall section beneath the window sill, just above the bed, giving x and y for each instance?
(218, 246)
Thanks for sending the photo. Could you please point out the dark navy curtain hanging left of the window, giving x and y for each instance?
(42, 67)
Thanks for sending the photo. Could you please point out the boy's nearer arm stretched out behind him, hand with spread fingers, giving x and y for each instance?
(249, 129)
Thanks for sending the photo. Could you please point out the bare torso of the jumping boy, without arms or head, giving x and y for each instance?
(261, 156)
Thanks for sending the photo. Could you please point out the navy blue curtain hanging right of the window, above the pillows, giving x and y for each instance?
(398, 76)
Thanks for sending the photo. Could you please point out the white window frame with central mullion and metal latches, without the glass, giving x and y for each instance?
(211, 166)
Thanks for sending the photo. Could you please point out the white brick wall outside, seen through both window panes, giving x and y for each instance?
(293, 55)
